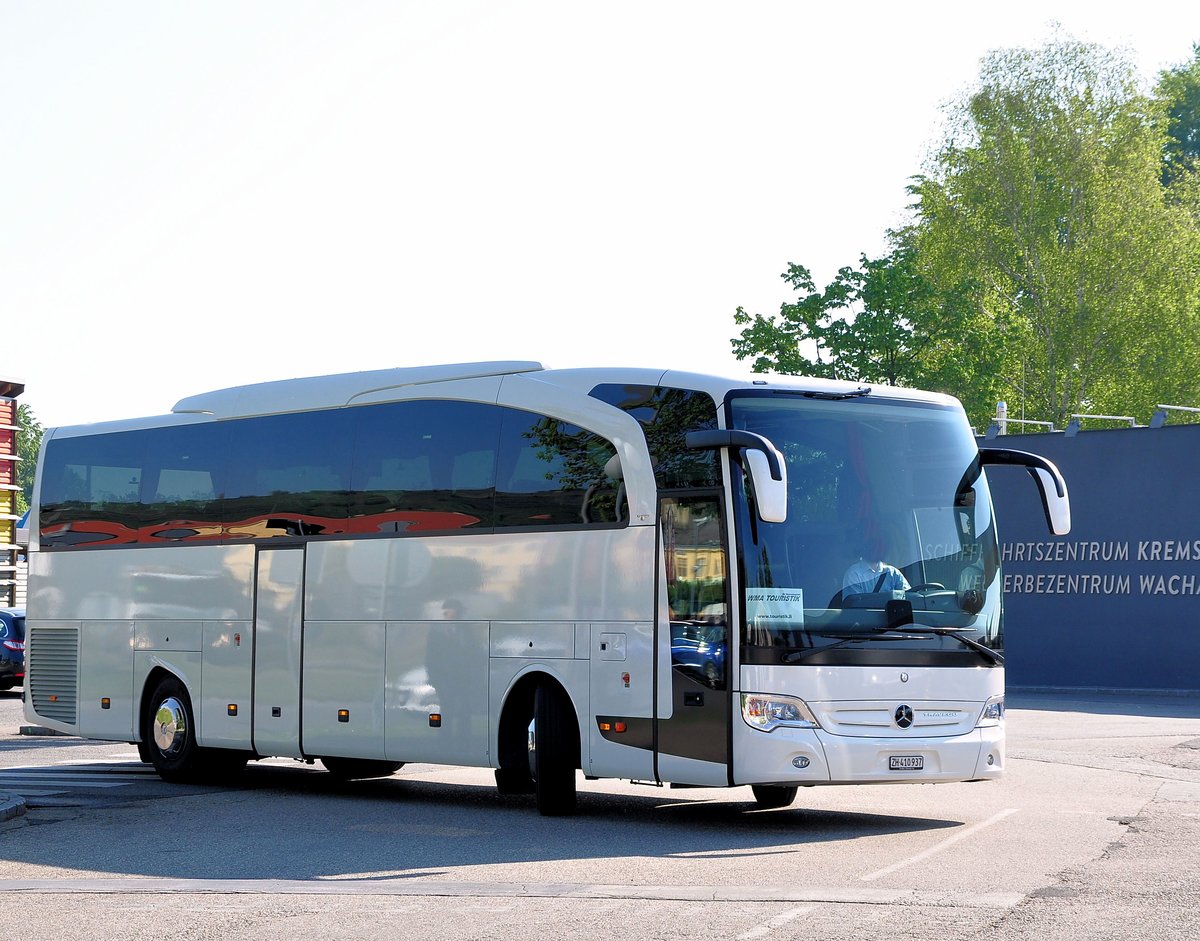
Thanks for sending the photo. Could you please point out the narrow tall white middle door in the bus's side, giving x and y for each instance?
(279, 612)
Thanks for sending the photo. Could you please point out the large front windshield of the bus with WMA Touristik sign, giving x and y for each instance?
(890, 548)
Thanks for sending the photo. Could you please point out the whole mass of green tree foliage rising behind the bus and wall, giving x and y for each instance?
(1053, 259)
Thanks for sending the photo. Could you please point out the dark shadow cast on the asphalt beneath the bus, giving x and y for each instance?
(281, 824)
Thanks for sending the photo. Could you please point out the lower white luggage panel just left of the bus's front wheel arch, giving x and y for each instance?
(437, 692)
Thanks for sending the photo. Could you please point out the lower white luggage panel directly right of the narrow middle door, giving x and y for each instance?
(344, 690)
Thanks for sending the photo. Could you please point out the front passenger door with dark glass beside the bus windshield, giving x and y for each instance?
(694, 738)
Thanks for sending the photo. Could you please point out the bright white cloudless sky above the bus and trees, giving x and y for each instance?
(205, 195)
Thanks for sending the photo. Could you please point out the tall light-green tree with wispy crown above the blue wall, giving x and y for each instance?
(1047, 199)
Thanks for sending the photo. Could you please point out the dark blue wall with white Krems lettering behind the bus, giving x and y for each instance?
(1117, 603)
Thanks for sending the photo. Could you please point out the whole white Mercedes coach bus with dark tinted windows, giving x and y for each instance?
(631, 573)
